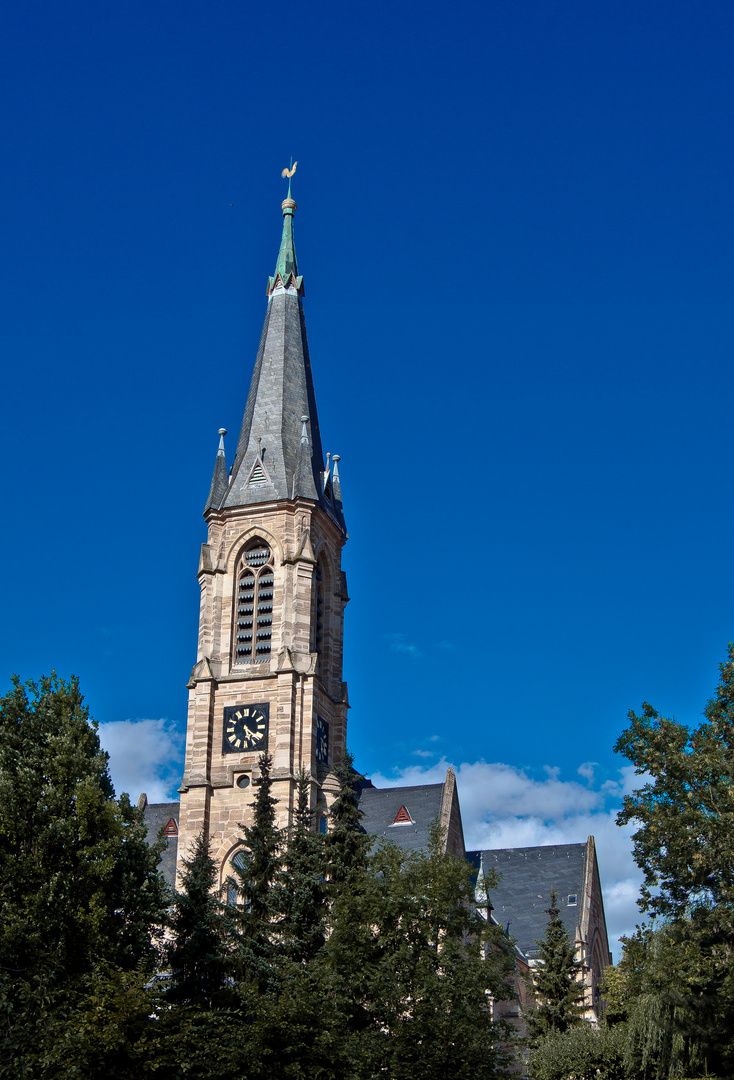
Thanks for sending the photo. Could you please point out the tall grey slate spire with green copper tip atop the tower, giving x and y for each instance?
(279, 454)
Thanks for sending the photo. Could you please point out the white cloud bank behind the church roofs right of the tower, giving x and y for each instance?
(505, 807)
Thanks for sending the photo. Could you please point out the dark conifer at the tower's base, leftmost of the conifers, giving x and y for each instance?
(197, 951)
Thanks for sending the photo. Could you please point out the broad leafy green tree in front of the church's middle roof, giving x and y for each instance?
(413, 970)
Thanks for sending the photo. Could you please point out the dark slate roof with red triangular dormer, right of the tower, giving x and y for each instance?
(382, 806)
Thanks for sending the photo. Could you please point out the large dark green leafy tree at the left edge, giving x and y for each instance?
(79, 888)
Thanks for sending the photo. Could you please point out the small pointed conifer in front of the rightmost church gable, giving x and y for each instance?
(555, 981)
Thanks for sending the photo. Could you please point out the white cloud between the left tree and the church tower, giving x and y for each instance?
(145, 757)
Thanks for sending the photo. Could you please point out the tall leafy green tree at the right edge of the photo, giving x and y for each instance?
(685, 846)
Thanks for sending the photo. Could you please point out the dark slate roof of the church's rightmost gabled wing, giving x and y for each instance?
(521, 900)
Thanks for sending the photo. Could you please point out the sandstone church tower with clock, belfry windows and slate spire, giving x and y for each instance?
(269, 668)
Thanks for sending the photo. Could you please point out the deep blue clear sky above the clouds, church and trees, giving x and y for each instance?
(515, 227)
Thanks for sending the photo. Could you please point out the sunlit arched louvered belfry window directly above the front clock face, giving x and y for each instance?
(254, 605)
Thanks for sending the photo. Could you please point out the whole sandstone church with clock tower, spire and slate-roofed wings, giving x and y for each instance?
(268, 676)
